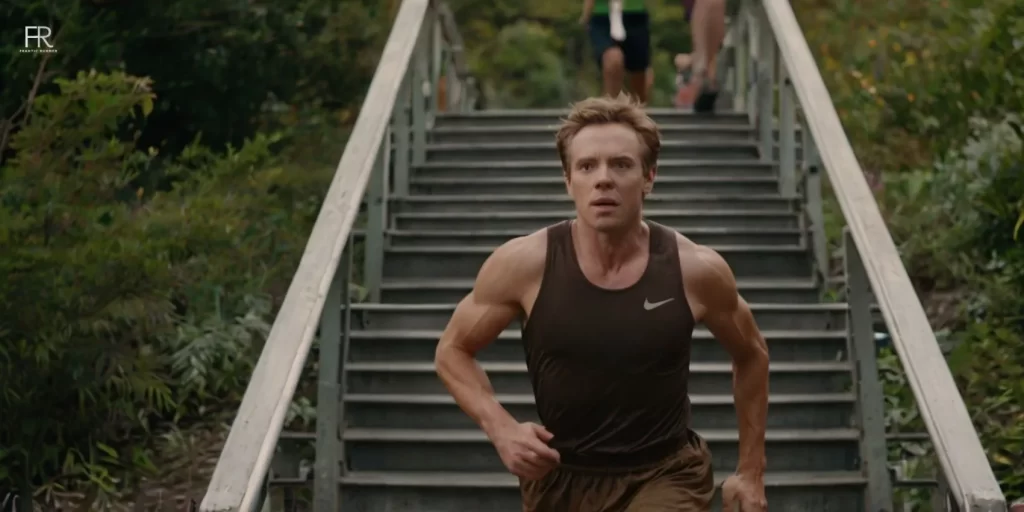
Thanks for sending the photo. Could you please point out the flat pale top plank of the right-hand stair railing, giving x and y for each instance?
(958, 447)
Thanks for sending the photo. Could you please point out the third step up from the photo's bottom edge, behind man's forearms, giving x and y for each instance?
(709, 411)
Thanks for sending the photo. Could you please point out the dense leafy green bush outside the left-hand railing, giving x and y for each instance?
(129, 310)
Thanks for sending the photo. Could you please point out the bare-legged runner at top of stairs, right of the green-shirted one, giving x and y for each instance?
(707, 19)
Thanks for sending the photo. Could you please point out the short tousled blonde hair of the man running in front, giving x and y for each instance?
(624, 110)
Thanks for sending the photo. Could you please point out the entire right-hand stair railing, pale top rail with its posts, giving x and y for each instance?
(967, 480)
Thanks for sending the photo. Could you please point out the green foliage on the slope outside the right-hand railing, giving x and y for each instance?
(930, 103)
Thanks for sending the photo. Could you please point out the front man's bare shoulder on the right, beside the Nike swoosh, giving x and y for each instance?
(708, 280)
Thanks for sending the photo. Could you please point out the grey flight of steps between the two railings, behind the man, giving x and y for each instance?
(493, 176)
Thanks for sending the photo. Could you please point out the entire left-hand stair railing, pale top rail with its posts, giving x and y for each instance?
(383, 141)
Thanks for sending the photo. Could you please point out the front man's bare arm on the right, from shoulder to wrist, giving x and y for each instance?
(730, 319)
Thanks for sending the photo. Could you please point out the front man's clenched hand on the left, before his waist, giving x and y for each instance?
(524, 448)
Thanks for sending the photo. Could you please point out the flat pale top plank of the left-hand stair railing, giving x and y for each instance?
(237, 482)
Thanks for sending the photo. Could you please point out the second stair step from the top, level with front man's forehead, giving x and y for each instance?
(546, 134)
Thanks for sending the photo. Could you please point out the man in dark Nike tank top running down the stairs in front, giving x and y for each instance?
(610, 303)
